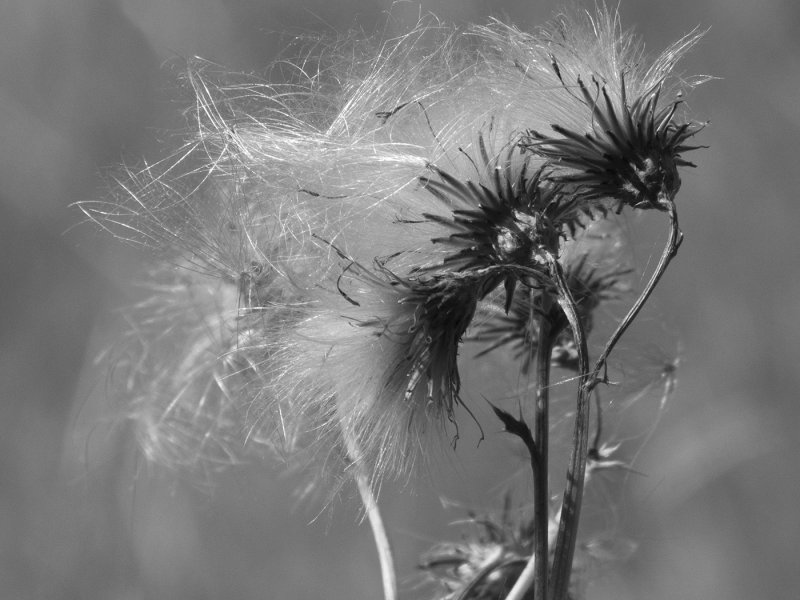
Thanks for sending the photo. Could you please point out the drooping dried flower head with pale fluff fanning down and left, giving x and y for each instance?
(380, 353)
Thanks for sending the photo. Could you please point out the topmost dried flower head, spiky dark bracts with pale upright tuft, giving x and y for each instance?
(616, 131)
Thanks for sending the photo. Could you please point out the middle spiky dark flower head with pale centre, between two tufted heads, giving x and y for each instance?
(503, 222)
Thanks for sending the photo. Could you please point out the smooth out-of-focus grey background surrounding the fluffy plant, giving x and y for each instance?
(86, 84)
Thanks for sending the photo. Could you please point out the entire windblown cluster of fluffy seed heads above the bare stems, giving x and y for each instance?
(325, 242)
